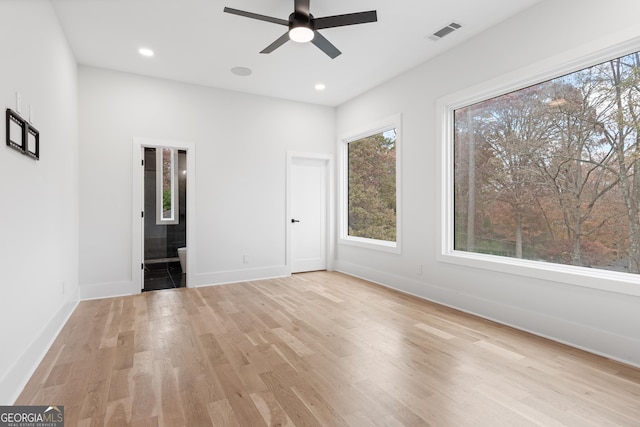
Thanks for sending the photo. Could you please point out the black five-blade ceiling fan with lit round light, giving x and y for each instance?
(303, 27)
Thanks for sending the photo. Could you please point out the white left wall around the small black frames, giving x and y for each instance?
(39, 207)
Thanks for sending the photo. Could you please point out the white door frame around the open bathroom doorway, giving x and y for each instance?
(137, 222)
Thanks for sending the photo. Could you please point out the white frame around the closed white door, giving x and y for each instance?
(329, 202)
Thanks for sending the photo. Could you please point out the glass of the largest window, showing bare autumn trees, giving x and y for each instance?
(551, 173)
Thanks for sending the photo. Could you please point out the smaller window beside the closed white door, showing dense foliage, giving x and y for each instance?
(371, 188)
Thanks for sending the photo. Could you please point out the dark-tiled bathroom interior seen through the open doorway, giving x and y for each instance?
(165, 218)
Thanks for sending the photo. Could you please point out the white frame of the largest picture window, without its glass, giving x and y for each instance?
(623, 283)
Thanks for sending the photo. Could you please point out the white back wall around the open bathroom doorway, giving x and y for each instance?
(241, 142)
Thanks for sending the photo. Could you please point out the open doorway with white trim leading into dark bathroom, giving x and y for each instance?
(160, 257)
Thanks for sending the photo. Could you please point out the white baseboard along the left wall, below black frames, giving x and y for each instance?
(19, 374)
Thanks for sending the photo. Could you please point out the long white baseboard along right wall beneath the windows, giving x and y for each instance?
(603, 343)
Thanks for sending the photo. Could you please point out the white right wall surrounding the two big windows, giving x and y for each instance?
(603, 322)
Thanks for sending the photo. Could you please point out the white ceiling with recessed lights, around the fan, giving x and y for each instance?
(195, 42)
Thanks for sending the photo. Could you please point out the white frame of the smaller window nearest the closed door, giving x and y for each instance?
(392, 122)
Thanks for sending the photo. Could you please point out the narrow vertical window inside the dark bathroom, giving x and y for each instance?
(166, 186)
